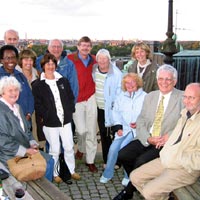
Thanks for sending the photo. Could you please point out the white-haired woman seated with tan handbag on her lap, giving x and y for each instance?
(15, 136)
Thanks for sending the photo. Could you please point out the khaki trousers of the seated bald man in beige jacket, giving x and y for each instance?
(155, 182)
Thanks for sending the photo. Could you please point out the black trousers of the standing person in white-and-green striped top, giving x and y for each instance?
(105, 133)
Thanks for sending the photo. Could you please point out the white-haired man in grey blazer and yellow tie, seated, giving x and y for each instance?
(149, 141)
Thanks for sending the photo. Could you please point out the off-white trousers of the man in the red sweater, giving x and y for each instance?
(85, 120)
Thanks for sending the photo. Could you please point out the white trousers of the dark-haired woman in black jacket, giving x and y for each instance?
(53, 136)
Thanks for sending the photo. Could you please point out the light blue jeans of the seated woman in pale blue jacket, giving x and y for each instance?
(116, 145)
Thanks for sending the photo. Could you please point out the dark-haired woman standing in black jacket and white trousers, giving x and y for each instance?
(54, 103)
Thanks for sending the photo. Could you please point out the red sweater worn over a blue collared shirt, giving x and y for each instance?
(85, 80)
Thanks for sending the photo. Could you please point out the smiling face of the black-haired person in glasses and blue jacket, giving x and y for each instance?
(9, 60)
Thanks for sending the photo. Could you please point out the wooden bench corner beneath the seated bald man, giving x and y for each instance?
(190, 192)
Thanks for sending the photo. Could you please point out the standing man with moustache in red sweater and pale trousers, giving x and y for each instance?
(85, 116)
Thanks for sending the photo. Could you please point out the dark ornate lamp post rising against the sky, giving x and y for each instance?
(168, 47)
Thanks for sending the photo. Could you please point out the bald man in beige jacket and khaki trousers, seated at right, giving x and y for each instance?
(178, 164)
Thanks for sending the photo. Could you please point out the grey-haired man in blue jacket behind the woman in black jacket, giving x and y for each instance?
(65, 66)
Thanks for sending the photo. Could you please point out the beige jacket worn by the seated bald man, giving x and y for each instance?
(186, 153)
